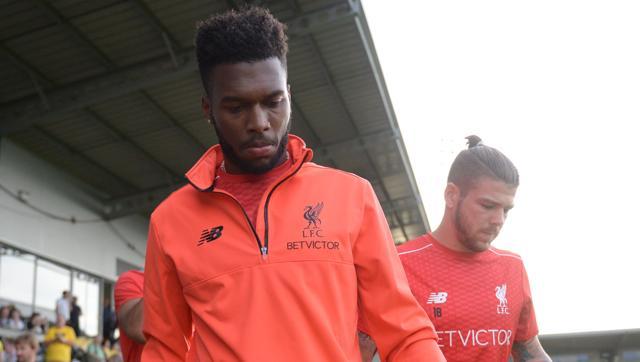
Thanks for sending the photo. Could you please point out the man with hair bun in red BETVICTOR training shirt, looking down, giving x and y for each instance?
(477, 296)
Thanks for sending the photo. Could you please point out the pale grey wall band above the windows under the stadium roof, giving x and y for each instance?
(92, 247)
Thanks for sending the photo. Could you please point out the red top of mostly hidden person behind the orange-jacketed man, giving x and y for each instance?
(129, 286)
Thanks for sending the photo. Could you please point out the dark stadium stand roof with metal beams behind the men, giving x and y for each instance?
(108, 91)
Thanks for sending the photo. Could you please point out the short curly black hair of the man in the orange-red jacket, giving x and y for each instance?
(249, 34)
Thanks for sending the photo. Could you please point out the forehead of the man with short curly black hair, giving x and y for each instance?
(248, 79)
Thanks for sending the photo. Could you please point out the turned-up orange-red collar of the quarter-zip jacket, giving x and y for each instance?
(202, 175)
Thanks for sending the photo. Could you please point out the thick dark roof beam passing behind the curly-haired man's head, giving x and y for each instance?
(20, 115)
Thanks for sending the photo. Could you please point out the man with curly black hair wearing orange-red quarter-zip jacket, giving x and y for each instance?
(266, 256)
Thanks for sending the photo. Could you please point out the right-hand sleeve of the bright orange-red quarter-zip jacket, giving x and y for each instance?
(388, 311)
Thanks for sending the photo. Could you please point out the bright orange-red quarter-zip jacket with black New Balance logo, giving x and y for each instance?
(289, 289)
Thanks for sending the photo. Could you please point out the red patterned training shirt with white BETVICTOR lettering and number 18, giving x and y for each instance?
(480, 303)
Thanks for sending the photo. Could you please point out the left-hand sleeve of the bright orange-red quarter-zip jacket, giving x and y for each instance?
(167, 317)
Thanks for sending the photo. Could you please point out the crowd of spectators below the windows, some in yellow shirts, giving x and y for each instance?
(36, 339)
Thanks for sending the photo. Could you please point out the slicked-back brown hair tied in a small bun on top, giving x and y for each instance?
(480, 161)
